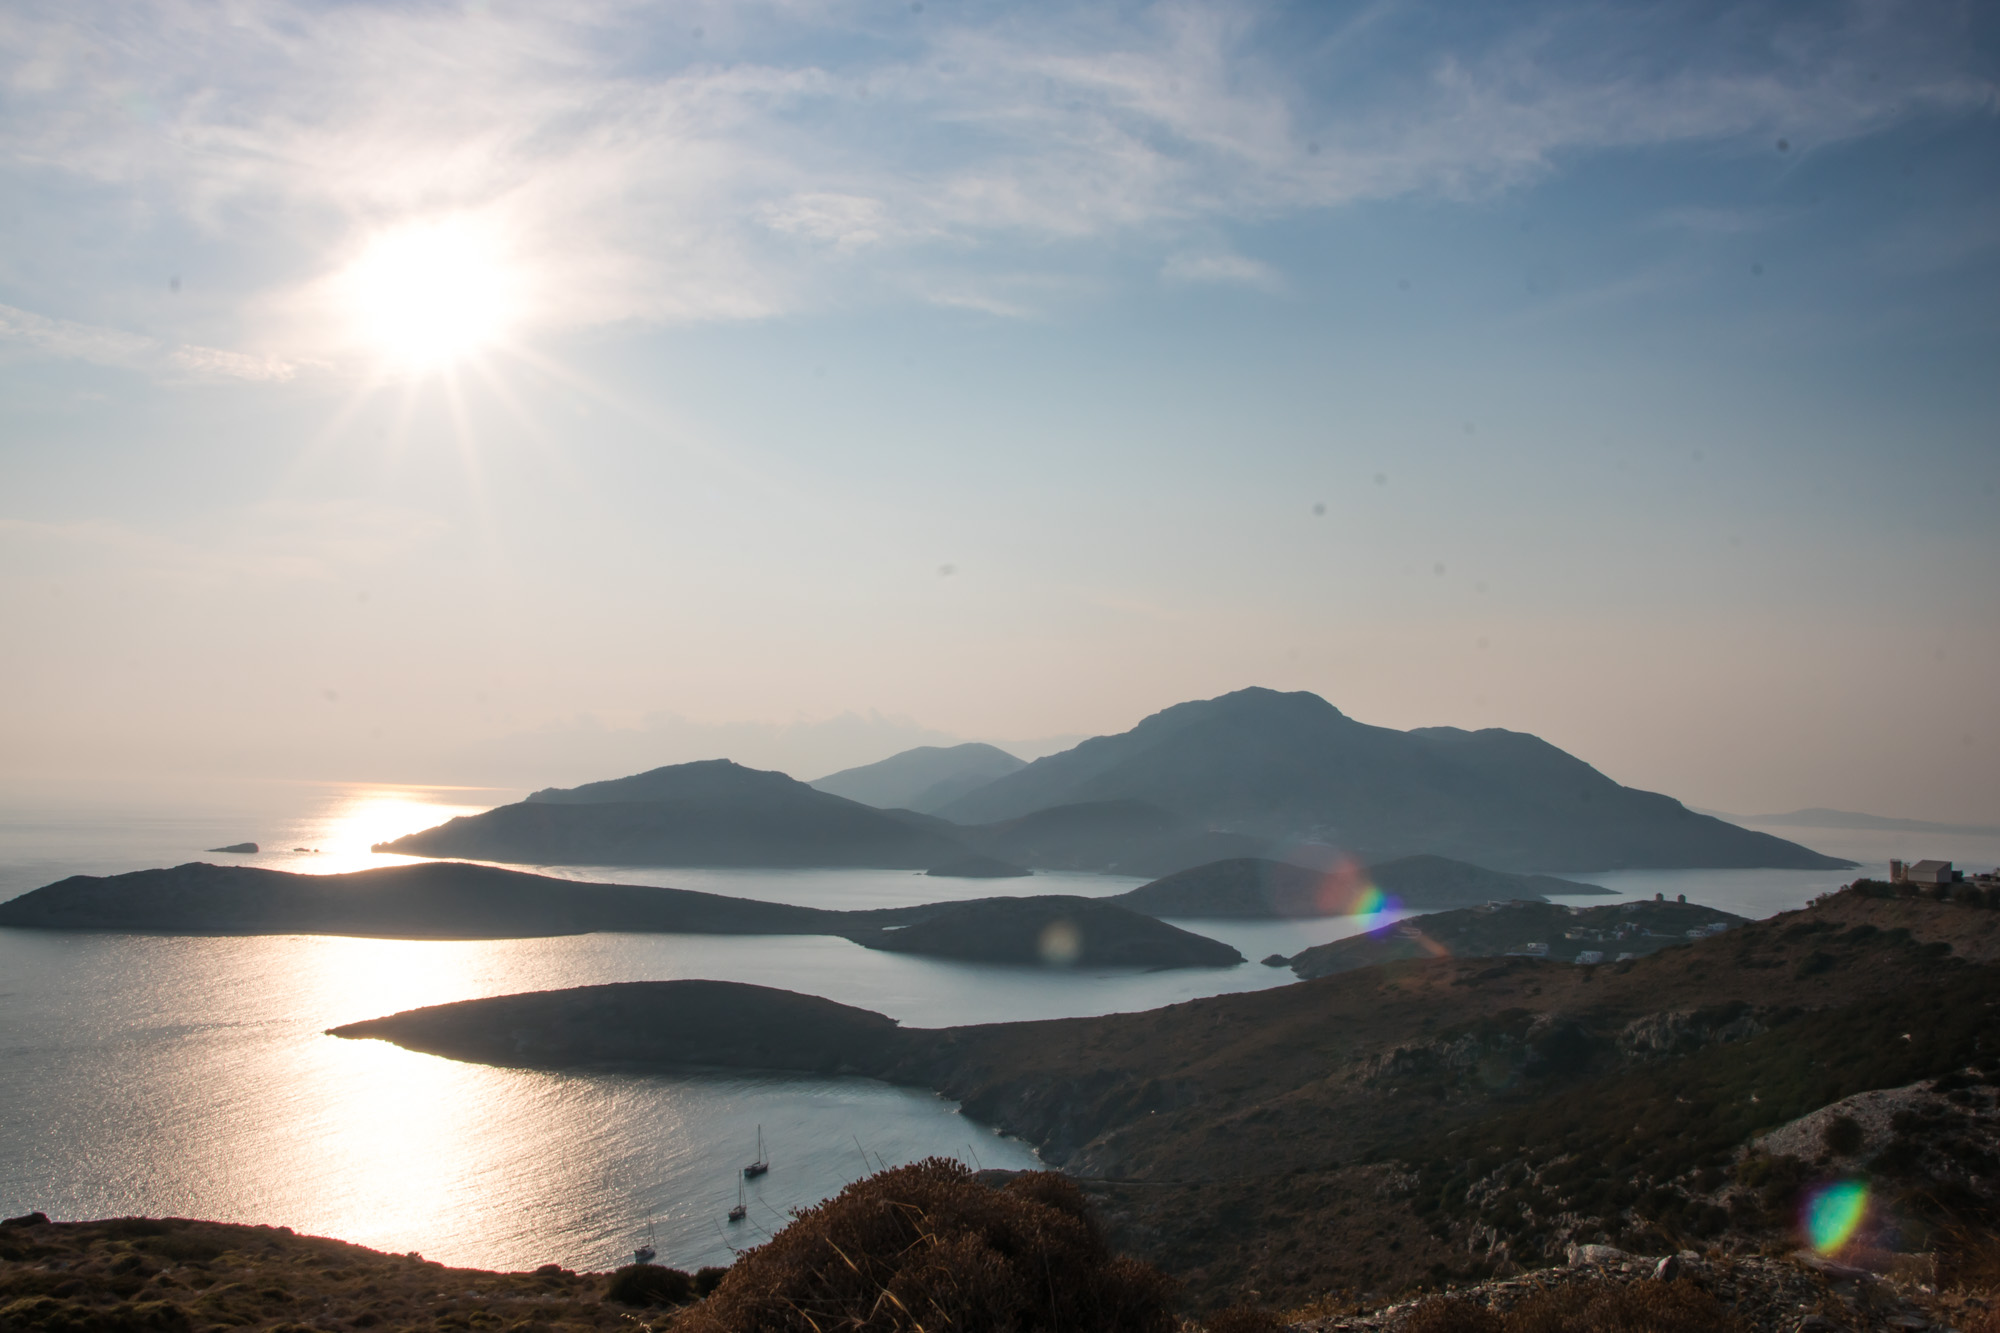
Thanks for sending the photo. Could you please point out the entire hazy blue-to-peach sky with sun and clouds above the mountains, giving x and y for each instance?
(543, 391)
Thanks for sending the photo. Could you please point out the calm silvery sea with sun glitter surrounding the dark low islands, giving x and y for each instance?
(193, 1076)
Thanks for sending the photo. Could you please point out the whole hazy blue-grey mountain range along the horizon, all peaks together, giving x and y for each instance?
(1255, 774)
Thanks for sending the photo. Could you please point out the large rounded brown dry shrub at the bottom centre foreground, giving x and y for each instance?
(931, 1248)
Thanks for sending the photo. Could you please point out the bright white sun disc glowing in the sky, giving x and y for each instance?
(427, 295)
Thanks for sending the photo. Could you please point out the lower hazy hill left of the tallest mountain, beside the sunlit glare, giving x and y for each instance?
(703, 814)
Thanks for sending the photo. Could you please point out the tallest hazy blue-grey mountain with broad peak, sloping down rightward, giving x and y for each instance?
(1293, 770)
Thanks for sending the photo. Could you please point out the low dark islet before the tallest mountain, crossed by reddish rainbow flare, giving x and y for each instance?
(1251, 888)
